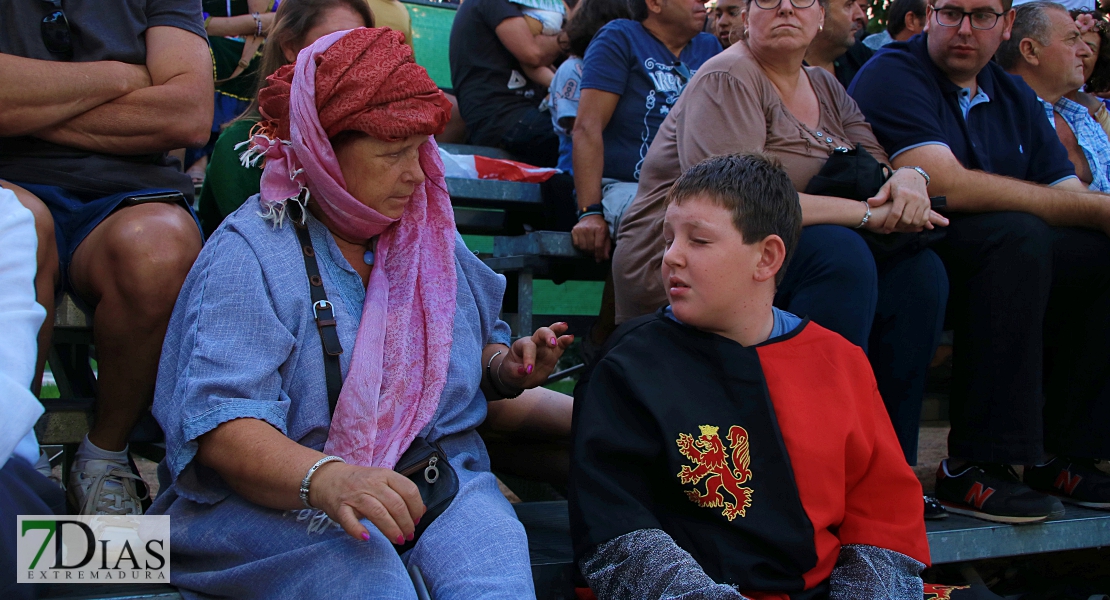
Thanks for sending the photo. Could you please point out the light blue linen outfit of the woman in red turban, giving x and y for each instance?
(243, 343)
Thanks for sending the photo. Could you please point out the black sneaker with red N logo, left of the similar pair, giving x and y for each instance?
(994, 493)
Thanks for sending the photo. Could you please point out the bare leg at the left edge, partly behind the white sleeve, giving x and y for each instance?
(47, 278)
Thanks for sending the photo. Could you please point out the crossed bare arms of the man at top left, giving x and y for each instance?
(110, 107)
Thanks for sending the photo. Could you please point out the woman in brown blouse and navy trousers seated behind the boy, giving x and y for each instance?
(759, 97)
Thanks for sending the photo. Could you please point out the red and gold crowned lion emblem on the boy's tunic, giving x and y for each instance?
(709, 454)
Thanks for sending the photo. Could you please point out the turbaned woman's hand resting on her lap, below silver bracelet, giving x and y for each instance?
(349, 493)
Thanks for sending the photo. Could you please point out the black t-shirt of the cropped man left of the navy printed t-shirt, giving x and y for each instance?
(492, 90)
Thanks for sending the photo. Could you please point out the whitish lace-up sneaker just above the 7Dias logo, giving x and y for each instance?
(106, 487)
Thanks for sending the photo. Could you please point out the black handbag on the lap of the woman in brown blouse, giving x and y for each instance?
(856, 175)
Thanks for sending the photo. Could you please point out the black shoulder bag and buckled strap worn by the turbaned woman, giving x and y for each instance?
(425, 463)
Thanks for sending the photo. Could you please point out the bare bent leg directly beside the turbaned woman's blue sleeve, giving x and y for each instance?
(132, 269)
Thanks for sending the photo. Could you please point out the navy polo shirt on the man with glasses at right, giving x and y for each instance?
(911, 103)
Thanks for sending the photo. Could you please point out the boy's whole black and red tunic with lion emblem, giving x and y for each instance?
(761, 462)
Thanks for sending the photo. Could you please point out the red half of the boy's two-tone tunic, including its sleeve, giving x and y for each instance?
(851, 473)
